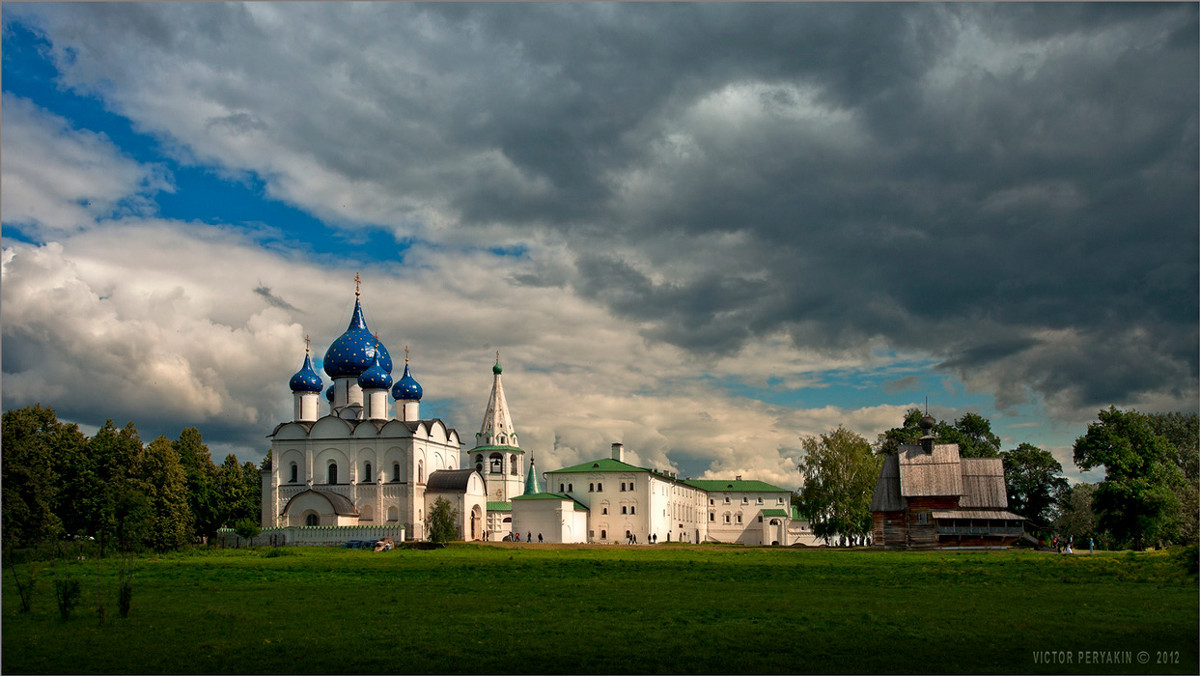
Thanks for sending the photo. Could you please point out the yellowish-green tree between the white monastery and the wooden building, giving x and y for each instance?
(839, 474)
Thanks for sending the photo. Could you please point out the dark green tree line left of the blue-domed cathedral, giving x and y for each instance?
(127, 495)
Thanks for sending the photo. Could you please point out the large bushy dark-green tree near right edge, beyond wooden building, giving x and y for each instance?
(1138, 501)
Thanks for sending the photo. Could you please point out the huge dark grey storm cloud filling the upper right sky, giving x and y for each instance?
(1009, 188)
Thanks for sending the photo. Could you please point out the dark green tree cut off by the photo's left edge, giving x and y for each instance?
(31, 483)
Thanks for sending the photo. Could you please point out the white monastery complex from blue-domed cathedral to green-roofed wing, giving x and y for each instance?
(371, 460)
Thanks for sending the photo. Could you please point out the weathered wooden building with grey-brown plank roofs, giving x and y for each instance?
(928, 496)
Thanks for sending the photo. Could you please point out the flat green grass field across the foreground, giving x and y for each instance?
(601, 611)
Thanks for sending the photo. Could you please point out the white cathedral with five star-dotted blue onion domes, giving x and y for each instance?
(370, 460)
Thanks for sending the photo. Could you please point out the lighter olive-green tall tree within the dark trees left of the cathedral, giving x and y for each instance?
(171, 519)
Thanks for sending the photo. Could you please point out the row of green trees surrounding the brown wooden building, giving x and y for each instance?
(1150, 494)
